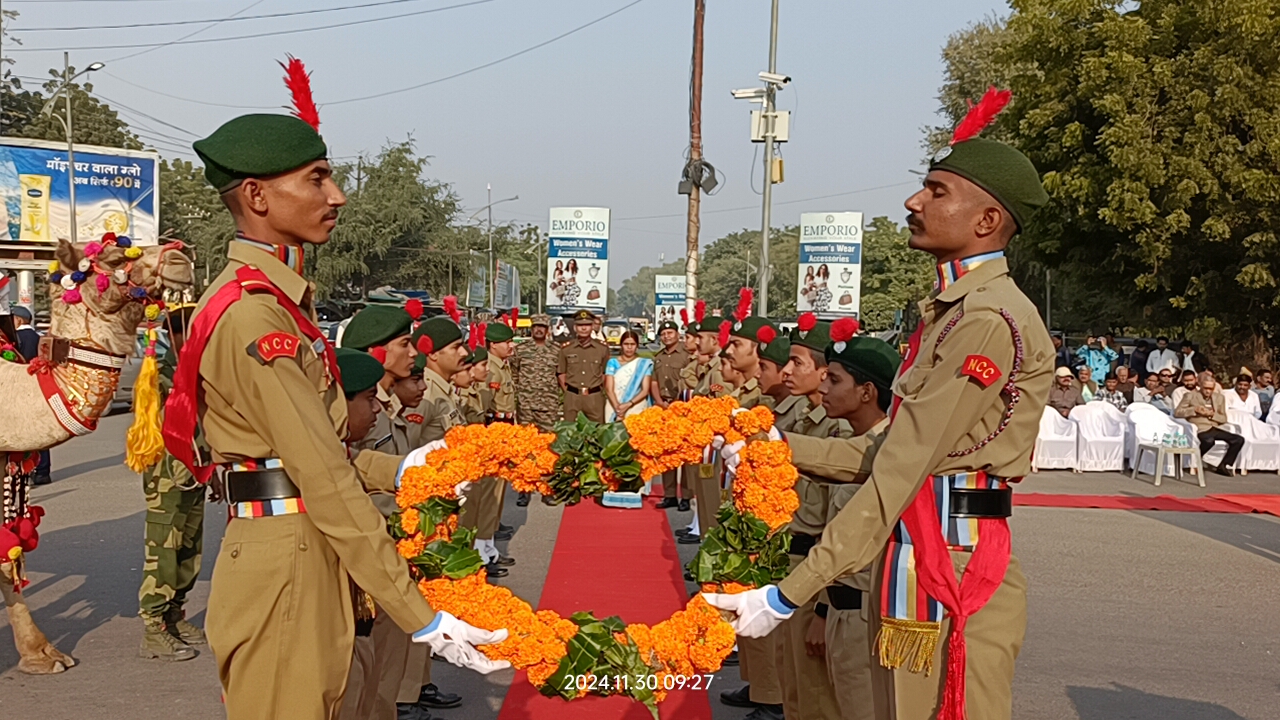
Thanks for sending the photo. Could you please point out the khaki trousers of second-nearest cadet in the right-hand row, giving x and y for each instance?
(807, 685)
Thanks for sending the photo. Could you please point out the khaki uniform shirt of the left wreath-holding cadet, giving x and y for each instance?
(291, 409)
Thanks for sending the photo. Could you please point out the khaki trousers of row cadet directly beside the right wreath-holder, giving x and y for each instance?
(849, 662)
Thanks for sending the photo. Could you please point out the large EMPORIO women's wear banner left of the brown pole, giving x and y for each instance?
(578, 259)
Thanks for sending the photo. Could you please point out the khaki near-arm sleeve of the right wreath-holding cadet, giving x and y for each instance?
(927, 427)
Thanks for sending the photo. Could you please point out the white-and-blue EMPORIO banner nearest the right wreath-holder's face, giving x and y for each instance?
(831, 265)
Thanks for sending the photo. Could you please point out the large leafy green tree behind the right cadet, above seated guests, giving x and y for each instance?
(1155, 125)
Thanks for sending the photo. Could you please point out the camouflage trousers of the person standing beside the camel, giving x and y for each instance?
(175, 537)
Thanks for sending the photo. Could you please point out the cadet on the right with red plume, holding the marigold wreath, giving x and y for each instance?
(968, 405)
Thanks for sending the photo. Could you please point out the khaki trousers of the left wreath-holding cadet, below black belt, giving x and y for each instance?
(281, 621)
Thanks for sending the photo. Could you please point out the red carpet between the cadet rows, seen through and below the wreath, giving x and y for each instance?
(612, 563)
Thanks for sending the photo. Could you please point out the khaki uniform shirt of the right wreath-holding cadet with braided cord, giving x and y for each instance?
(943, 412)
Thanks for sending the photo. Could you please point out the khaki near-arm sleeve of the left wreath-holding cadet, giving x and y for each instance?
(282, 407)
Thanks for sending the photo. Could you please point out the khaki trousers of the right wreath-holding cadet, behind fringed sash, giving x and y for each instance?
(994, 639)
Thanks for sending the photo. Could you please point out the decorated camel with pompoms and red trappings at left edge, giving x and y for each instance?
(100, 294)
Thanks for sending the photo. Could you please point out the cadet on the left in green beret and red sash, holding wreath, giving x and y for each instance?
(262, 384)
